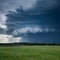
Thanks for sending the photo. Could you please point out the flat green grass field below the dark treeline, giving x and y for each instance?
(30, 53)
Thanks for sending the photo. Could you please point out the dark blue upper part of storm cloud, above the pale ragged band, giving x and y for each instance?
(44, 10)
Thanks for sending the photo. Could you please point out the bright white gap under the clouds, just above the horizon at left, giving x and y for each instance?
(9, 39)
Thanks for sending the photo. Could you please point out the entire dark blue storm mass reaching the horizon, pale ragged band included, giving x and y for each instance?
(41, 23)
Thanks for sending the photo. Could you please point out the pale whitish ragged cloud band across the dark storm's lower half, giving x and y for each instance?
(34, 29)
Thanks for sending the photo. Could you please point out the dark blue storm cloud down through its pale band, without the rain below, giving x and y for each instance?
(41, 14)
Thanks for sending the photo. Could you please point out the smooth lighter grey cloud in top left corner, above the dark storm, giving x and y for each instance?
(6, 5)
